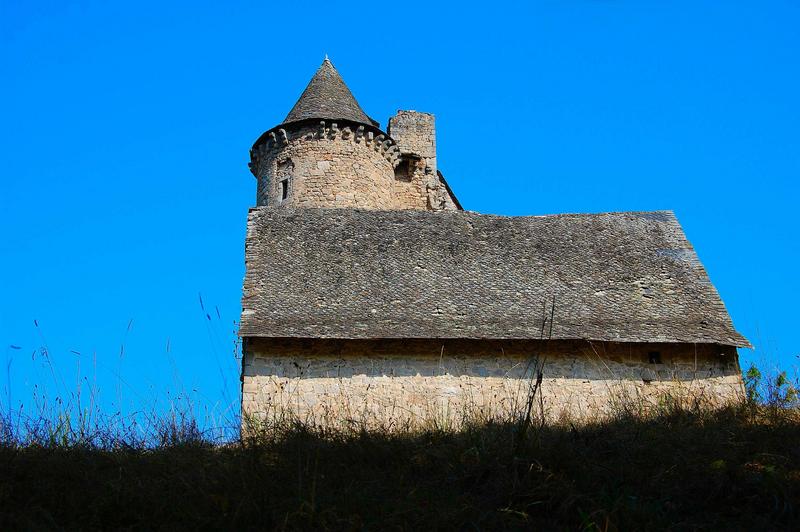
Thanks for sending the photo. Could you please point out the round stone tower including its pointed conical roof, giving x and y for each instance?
(326, 153)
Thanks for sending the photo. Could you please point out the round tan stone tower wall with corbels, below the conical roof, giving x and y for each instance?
(326, 165)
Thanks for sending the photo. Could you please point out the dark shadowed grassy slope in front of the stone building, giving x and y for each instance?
(737, 468)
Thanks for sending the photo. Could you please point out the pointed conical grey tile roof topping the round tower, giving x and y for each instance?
(327, 98)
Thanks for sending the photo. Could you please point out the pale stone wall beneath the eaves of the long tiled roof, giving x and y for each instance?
(394, 382)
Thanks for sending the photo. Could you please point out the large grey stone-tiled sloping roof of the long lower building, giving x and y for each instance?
(342, 273)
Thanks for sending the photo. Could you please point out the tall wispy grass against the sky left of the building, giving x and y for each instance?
(73, 411)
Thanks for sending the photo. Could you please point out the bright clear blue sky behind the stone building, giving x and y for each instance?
(127, 127)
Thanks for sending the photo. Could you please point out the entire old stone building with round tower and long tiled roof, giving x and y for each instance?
(370, 295)
